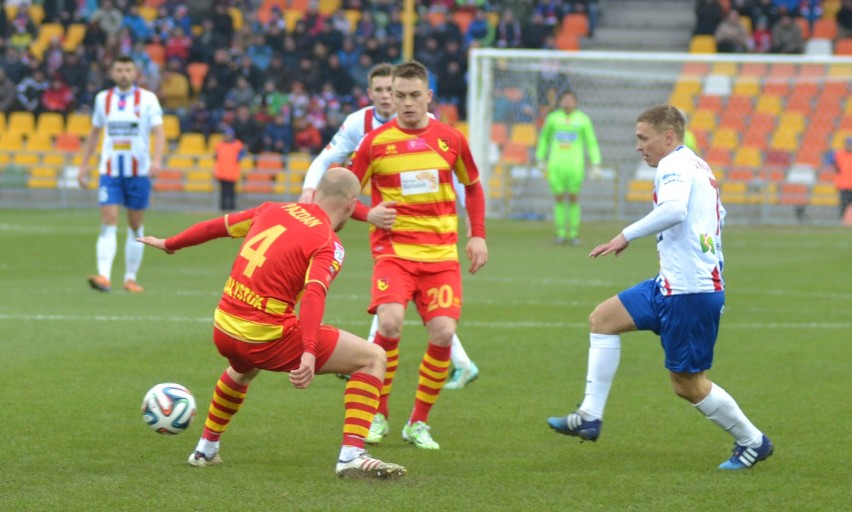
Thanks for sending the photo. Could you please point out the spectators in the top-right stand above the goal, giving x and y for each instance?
(771, 25)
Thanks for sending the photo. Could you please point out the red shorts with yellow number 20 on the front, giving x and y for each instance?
(434, 287)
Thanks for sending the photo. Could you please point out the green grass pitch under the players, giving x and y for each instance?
(76, 363)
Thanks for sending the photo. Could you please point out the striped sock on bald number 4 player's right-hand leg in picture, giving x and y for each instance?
(360, 401)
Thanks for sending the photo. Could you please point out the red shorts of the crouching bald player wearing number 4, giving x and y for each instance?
(281, 355)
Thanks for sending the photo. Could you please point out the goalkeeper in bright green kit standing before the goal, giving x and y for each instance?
(566, 138)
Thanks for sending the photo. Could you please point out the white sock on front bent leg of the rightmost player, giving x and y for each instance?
(604, 356)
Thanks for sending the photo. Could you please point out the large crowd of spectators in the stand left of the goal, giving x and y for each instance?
(279, 89)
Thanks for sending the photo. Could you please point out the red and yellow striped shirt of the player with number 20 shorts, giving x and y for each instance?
(415, 168)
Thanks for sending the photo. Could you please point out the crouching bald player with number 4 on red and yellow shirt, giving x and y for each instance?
(291, 254)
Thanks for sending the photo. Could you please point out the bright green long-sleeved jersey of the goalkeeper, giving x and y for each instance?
(563, 138)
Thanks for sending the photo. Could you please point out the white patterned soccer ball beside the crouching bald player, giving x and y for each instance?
(168, 408)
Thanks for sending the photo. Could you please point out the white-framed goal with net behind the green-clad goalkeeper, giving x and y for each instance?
(766, 124)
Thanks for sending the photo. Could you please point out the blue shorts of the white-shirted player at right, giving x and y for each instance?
(687, 324)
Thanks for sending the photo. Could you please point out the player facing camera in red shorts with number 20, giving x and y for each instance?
(409, 163)
